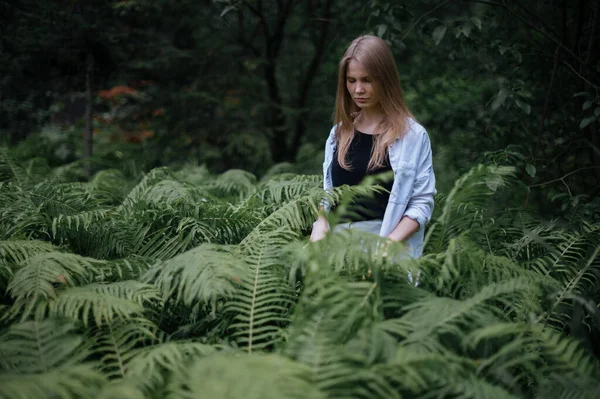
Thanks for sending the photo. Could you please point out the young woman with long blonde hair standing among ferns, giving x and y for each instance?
(374, 133)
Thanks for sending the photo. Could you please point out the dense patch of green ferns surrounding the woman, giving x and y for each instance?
(184, 284)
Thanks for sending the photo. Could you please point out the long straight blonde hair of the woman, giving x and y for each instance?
(377, 59)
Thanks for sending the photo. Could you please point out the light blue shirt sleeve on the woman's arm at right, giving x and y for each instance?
(420, 204)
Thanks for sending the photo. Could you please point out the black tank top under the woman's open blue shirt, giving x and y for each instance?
(358, 156)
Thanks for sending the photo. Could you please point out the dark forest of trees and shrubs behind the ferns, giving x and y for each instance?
(251, 84)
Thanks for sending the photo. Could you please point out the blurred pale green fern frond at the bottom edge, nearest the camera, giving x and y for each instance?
(252, 376)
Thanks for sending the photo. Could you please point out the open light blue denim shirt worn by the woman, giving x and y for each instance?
(414, 182)
